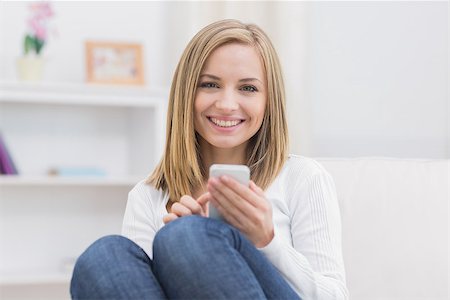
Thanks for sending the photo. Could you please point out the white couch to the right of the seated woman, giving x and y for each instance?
(395, 226)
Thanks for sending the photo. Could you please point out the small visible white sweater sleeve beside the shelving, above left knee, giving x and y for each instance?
(139, 224)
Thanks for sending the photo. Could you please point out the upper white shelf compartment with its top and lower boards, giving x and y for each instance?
(116, 129)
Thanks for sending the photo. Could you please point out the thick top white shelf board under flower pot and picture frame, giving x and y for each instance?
(81, 94)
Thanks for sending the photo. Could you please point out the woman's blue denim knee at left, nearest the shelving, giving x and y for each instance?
(114, 267)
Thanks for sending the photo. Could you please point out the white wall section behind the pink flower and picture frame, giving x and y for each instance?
(76, 22)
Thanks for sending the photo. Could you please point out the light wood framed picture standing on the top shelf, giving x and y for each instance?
(114, 63)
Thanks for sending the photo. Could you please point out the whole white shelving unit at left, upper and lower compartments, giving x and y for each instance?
(118, 130)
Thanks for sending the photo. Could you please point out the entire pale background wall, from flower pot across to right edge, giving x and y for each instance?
(363, 78)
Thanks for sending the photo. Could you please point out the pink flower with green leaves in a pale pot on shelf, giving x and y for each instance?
(31, 65)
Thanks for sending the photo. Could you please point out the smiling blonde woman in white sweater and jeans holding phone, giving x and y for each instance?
(281, 234)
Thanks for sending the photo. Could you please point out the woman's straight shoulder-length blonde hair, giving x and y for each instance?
(180, 171)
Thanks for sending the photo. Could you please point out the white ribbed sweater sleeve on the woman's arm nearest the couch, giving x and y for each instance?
(313, 263)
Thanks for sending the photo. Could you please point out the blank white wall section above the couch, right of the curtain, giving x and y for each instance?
(378, 78)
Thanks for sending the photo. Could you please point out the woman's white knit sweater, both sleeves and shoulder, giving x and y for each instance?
(306, 248)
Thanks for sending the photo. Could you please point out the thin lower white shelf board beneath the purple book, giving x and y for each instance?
(18, 180)
